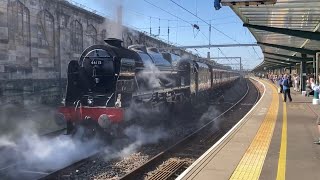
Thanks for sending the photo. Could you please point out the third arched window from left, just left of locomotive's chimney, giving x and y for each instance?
(76, 36)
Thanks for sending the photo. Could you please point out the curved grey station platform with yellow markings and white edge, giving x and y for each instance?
(273, 141)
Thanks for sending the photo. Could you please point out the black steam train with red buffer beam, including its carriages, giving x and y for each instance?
(108, 79)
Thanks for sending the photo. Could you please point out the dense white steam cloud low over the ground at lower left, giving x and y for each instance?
(47, 154)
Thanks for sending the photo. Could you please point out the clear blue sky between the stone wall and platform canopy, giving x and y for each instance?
(142, 15)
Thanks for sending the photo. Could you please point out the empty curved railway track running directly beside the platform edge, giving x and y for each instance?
(174, 160)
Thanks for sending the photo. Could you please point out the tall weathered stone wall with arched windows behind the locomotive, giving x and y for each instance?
(39, 37)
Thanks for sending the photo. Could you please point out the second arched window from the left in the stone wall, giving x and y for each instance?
(45, 29)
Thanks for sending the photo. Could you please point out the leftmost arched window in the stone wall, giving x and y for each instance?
(19, 22)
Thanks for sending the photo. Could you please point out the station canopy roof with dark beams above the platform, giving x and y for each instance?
(285, 31)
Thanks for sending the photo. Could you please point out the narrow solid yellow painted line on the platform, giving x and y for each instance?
(281, 174)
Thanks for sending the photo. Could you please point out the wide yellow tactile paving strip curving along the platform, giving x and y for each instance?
(252, 161)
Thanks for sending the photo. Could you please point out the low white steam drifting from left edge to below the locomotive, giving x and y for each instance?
(30, 151)
